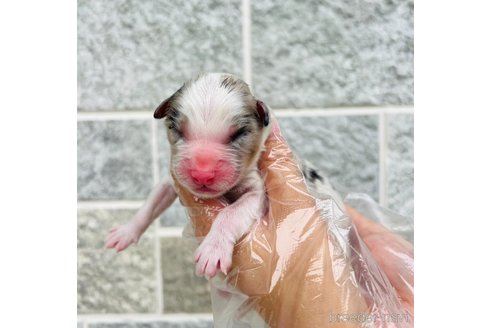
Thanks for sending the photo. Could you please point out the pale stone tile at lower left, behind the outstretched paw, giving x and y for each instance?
(110, 282)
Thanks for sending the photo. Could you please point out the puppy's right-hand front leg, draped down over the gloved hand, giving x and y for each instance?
(215, 252)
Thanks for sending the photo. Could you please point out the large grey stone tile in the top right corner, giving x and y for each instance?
(332, 53)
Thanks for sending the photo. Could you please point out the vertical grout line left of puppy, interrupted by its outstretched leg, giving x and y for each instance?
(157, 248)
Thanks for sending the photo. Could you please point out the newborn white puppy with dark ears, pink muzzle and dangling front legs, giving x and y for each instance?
(216, 129)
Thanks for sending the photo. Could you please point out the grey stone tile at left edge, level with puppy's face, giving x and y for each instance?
(114, 160)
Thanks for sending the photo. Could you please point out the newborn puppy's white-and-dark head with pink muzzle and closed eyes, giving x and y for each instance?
(216, 129)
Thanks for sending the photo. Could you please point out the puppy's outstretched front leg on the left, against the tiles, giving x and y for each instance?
(159, 200)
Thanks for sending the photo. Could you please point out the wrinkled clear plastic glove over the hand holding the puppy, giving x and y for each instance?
(303, 264)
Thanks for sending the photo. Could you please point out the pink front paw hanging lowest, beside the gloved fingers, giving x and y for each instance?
(213, 255)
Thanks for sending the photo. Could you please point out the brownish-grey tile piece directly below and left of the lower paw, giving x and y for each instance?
(183, 290)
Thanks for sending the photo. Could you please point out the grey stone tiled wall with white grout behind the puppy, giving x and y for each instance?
(338, 74)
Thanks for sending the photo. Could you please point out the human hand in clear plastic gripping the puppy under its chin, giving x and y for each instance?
(283, 264)
